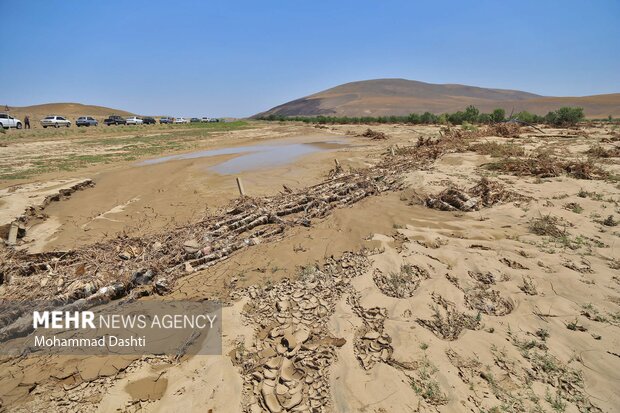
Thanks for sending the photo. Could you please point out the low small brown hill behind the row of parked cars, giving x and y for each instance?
(70, 110)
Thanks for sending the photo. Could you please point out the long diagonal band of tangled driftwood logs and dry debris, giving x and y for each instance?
(120, 265)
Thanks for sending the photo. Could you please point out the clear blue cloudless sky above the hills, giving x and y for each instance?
(237, 58)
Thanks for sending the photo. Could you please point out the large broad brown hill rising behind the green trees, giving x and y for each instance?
(400, 97)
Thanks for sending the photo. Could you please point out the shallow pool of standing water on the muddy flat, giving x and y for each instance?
(254, 156)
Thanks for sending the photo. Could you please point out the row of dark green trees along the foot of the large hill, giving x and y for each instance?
(564, 116)
